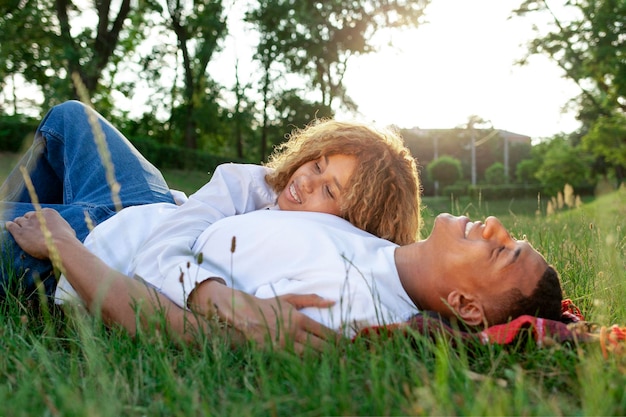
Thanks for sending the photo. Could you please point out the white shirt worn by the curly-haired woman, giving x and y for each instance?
(155, 240)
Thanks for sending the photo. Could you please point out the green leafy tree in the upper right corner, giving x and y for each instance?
(589, 47)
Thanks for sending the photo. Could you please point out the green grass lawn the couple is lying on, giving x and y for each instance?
(73, 366)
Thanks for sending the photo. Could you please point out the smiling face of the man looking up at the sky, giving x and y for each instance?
(482, 258)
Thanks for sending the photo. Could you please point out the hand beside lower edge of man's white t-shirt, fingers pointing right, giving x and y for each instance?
(272, 321)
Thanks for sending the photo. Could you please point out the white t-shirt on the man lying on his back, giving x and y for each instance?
(281, 252)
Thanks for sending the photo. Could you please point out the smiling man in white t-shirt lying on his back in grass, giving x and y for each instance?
(471, 270)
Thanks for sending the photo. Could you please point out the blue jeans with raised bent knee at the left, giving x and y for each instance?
(69, 176)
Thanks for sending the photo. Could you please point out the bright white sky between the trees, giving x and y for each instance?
(459, 64)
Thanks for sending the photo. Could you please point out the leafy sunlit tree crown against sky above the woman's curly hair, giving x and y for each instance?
(315, 39)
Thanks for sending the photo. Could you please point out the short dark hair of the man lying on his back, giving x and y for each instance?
(544, 301)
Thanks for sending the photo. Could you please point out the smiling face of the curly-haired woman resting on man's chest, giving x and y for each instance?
(319, 185)
